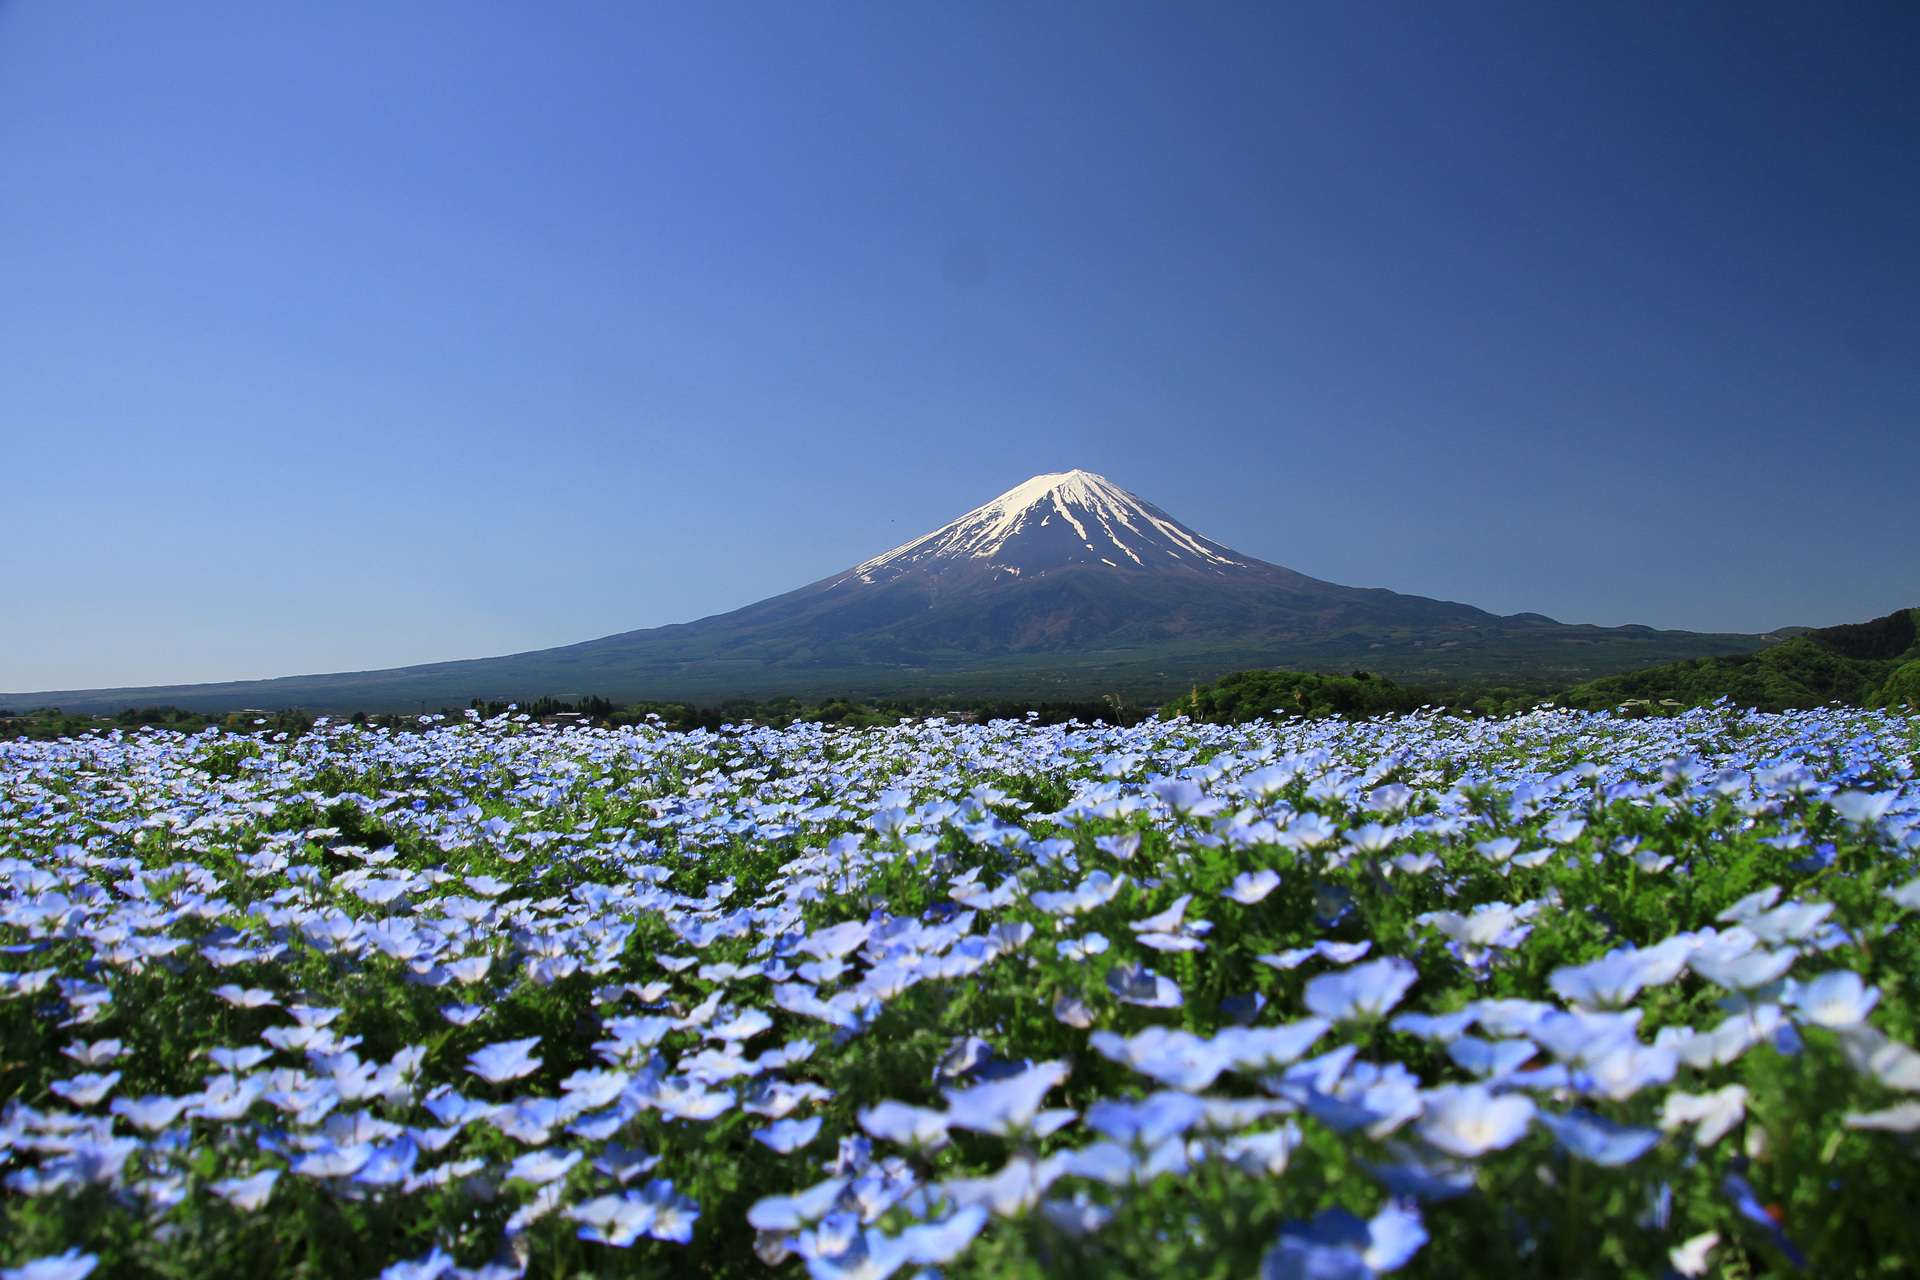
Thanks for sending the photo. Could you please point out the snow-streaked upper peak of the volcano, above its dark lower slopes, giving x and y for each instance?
(1051, 523)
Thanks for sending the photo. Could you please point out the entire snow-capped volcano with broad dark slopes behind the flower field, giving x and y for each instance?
(1065, 586)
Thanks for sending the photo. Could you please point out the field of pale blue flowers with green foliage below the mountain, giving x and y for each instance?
(1560, 995)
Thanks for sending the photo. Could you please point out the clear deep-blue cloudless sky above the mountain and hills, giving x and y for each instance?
(358, 335)
